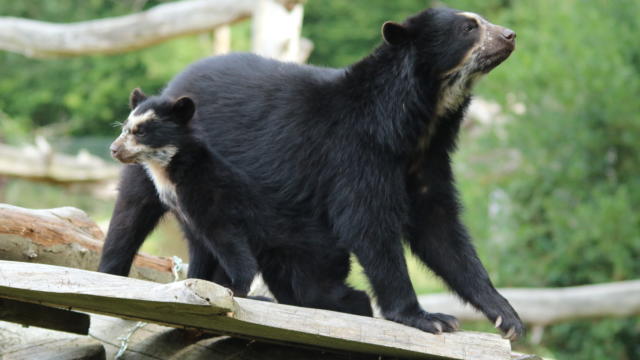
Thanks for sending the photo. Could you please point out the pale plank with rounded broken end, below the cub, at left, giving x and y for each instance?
(110, 294)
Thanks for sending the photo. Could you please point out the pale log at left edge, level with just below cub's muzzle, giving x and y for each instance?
(40, 163)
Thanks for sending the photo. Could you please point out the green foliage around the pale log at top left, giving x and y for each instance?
(83, 95)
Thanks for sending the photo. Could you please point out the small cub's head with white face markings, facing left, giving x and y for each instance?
(154, 130)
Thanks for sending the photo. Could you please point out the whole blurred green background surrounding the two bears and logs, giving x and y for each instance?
(551, 191)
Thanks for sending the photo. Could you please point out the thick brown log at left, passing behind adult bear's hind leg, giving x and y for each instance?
(65, 236)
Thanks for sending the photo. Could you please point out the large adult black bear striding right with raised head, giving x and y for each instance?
(365, 150)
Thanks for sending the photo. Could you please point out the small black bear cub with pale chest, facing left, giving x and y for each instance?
(226, 217)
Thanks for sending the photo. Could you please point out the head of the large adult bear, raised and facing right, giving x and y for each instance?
(451, 48)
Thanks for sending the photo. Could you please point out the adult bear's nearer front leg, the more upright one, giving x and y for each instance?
(368, 213)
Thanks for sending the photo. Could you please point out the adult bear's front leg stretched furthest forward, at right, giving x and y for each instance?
(440, 240)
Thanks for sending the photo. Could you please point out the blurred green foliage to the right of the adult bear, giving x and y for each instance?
(571, 208)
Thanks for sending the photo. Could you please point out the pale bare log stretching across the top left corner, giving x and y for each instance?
(119, 34)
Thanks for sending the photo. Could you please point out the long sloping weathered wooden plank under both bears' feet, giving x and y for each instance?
(202, 305)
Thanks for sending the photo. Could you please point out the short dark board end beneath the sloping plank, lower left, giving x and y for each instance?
(44, 316)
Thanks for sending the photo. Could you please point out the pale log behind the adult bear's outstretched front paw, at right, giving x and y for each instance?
(545, 306)
